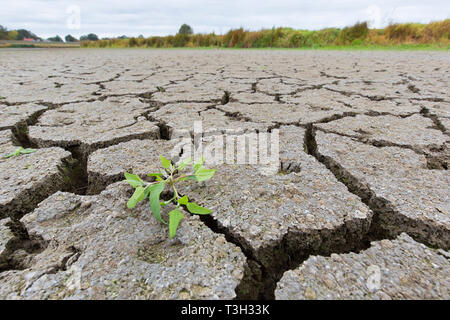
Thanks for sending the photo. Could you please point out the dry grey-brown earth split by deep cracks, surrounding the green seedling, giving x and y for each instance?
(359, 208)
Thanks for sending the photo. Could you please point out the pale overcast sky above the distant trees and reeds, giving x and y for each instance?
(134, 17)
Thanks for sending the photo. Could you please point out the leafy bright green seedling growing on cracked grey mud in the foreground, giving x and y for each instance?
(168, 177)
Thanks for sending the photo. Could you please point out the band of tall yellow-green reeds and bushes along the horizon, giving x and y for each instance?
(436, 33)
